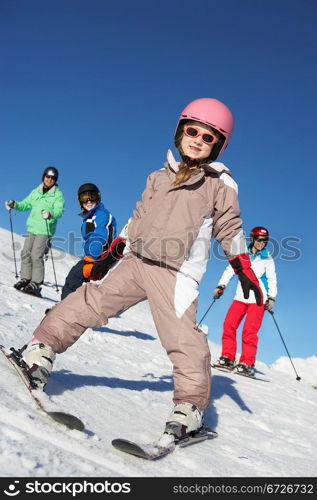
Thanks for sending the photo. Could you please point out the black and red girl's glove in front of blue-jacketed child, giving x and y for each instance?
(99, 268)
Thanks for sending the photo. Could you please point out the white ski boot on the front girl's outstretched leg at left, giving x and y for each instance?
(37, 358)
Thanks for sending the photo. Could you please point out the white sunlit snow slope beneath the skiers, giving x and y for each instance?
(117, 379)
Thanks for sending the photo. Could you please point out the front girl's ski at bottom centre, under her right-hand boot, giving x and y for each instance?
(153, 451)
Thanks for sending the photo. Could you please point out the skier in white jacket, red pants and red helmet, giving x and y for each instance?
(263, 266)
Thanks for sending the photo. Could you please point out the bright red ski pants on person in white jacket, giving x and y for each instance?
(254, 316)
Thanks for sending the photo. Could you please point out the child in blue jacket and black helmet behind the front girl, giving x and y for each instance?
(100, 243)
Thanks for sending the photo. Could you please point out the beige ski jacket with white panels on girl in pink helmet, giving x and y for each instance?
(173, 225)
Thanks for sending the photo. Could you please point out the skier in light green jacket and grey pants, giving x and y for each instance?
(46, 203)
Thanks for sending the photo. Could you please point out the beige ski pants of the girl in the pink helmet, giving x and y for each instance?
(131, 281)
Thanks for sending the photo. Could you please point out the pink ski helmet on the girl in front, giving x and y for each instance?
(209, 112)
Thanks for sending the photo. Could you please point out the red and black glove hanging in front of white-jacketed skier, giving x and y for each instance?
(242, 267)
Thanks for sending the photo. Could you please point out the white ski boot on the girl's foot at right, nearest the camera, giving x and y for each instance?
(185, 420)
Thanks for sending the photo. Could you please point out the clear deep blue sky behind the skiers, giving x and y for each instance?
(95, 88)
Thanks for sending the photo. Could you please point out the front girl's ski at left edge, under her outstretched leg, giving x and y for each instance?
(70, 421)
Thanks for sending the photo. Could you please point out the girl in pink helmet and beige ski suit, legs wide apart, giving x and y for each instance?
(168, 241)
